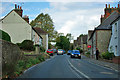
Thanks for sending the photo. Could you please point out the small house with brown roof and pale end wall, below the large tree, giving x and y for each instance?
(44, 36)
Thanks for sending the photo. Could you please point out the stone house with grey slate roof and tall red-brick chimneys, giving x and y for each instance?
(101, 35)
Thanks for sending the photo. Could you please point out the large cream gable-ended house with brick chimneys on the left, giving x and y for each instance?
(16, 26)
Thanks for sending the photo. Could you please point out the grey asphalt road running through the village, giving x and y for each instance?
(62, 66)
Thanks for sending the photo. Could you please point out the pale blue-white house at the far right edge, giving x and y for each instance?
(114, 45)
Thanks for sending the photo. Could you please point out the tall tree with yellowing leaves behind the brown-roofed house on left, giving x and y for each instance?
(45, 22)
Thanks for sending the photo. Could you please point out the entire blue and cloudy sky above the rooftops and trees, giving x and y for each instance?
(69, 16)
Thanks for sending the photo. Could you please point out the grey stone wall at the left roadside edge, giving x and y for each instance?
(10, 55)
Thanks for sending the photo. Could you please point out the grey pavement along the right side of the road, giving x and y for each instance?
(106, 64)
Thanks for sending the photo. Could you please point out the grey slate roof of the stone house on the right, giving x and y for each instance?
(106, 24)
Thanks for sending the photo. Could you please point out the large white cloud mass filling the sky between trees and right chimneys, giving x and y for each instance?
(75, 17)
